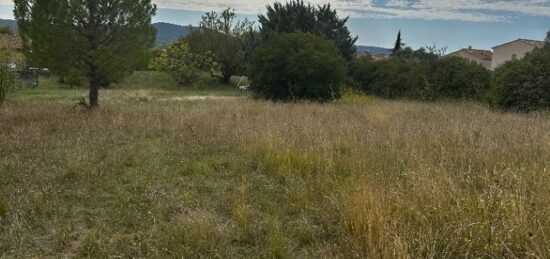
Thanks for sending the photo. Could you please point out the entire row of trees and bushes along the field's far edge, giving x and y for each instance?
(298, 51)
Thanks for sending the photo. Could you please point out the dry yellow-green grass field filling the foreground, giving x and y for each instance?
(235, 177)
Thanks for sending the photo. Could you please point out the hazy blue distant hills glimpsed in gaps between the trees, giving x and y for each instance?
(167, 32)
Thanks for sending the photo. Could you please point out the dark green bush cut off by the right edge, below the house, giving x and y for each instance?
(523, 84)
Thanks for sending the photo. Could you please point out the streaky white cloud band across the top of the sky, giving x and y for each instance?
(462, 10)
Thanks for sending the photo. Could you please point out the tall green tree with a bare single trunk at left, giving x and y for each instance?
(105, 39)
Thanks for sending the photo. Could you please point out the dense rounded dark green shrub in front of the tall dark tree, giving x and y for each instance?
(294, 66)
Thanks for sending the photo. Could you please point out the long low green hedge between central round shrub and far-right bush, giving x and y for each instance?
(422, 74)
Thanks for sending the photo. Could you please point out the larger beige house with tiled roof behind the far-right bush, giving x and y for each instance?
(513, 50)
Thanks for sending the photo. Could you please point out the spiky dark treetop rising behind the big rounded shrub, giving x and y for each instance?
(322, 21)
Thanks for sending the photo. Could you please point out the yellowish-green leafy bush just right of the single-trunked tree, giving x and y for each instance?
(183, 64)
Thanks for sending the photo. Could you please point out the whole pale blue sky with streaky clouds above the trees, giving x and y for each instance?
(453, 24)
